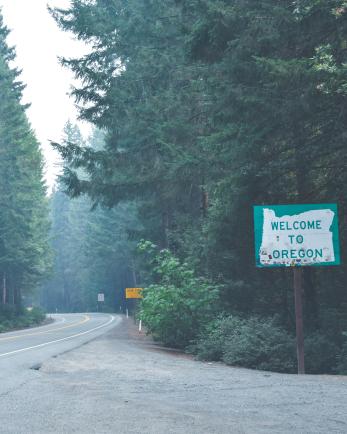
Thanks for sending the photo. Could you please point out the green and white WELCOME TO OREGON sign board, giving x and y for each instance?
(293, 235)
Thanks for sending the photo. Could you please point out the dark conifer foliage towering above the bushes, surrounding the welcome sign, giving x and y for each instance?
(211, 107)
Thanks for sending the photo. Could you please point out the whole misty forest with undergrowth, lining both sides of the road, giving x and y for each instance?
(201, 109)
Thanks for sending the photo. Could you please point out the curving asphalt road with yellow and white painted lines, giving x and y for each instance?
(21, 352)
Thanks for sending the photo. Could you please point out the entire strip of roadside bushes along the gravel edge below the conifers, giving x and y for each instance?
(183, 311)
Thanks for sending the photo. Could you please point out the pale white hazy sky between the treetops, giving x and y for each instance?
(38, 43)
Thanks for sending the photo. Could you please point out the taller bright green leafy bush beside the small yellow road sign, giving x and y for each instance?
(175, 308)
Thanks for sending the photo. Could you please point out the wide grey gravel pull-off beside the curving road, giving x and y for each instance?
(123, 383)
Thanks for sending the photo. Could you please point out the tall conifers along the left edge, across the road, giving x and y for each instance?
(24, 251)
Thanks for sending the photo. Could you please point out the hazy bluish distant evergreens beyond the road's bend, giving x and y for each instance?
(93, 248)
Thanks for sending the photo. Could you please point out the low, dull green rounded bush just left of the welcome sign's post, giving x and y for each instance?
(255, 343)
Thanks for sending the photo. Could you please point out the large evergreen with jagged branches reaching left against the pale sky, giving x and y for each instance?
(139, 86)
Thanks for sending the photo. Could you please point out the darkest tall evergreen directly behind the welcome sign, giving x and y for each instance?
(277, 79)
